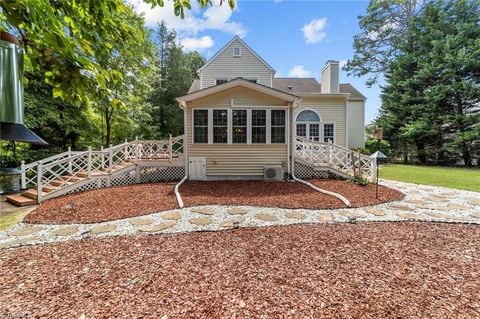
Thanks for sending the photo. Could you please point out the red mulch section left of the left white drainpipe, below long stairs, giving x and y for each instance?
(105, 204)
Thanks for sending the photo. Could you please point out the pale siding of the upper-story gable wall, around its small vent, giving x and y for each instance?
(247, 66)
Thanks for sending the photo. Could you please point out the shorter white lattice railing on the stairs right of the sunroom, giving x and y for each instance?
(321, 154)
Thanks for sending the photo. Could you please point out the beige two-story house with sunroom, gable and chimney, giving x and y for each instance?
(241, 119)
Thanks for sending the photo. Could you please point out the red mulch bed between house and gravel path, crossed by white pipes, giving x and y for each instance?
(141, 199)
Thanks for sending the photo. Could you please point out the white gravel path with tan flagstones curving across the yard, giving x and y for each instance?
(421, 203)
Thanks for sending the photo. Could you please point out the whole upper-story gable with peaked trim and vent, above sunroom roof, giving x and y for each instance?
(235, 60)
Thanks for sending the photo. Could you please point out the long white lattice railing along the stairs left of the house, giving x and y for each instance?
(68, 165)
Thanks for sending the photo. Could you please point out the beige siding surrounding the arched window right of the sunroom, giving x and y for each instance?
(330, 109)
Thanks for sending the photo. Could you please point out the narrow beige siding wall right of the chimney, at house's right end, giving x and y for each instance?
(356, 124)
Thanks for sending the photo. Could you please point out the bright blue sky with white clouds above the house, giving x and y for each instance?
(295, 37)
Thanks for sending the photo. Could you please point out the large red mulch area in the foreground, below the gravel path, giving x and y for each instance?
(366, 270)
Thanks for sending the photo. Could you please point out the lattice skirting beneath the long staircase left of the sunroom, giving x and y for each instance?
(147, 175)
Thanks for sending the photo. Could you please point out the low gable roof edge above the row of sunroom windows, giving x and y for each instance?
(239, 82)
